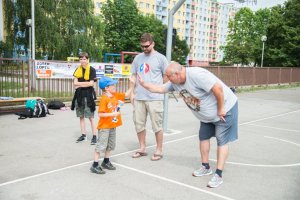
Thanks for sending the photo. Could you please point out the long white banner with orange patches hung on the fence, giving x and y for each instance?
(49, 69)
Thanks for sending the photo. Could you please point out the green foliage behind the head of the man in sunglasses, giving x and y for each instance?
(123, 30)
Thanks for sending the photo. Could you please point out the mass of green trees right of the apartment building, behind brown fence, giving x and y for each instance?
(281, 25)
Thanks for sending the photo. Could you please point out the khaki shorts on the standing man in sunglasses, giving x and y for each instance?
(140, 111)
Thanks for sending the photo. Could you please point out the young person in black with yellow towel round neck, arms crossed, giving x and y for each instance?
(85, 96)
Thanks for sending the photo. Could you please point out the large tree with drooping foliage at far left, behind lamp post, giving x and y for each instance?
(62, 28)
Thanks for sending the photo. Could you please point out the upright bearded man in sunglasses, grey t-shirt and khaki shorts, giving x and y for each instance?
(151, 66)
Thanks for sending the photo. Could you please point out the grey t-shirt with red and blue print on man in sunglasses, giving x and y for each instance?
(151, 68)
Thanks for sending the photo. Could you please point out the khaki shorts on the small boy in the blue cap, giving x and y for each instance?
(106, 140)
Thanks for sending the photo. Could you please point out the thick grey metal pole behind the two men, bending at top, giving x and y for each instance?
(168, 55)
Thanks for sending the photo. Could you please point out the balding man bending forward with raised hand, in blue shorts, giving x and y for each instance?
(213, 103)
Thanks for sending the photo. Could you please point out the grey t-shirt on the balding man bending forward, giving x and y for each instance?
(197, 88)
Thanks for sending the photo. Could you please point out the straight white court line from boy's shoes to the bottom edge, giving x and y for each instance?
(172, 181)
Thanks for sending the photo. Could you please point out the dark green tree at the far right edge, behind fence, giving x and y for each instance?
(284, 36)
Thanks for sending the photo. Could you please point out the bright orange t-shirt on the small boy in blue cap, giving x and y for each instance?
(109, 105)
